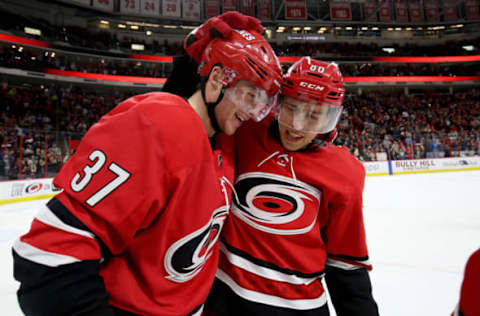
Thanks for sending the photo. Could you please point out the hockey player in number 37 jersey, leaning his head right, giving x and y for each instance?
(135, 229)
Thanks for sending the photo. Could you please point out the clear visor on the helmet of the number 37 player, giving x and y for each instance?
(251, 100)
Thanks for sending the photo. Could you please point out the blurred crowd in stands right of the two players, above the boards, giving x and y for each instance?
(393, 125)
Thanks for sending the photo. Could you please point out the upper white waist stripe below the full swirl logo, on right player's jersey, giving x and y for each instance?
(264, 271)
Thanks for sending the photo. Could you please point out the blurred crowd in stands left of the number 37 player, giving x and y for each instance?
(37, 125)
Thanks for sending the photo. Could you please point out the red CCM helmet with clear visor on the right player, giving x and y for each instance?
(313, 96)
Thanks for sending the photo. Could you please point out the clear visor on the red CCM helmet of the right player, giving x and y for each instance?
(308, 117)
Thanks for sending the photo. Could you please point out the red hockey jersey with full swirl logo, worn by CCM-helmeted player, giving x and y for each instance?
(292, 214)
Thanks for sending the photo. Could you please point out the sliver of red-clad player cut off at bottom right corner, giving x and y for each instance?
(469, 304)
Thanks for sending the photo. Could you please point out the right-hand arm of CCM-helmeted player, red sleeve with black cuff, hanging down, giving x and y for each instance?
(347, 266)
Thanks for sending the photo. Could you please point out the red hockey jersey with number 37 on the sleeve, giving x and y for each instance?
(146, 184)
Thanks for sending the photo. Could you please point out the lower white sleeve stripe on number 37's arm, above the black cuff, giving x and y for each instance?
(39, 256)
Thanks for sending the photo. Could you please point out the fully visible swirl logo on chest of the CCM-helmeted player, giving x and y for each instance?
(275, 204)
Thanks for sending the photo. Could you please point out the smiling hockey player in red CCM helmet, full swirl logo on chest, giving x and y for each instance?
(296, 211)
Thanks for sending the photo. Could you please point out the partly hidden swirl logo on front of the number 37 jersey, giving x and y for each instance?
(186, 257)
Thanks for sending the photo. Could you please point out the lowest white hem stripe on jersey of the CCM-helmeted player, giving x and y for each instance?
(300, 304)
